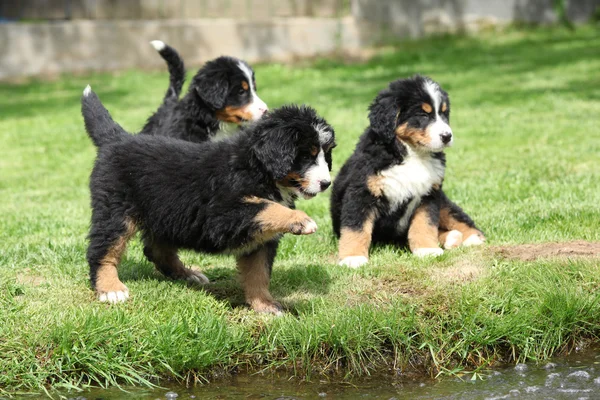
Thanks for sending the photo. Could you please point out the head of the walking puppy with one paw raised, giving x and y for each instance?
(294, 146)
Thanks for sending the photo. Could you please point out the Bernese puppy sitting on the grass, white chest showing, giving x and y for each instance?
(390, 189)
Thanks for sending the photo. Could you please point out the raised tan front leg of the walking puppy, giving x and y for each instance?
(275, 219)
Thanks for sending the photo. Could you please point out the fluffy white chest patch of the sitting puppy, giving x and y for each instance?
(412, 179)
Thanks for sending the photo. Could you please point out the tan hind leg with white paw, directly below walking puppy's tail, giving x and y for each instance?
(108, 286)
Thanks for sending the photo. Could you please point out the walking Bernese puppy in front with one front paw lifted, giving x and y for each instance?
(231, 196)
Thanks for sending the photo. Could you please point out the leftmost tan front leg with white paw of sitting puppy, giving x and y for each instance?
(354, 244)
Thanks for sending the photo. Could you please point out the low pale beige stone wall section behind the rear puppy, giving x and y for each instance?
(51, 48)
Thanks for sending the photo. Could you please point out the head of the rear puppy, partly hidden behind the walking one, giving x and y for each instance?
(227, 85)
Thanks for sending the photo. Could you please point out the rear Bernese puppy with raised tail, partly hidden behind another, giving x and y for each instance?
(223, 91)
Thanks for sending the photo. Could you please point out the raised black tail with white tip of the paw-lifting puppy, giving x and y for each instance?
(100, 126)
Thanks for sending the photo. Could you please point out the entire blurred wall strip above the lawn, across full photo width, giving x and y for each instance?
(41, 37)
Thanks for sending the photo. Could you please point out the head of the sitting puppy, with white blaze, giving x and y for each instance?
(415, 111)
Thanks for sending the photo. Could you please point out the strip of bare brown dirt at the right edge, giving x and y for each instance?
(532, 252)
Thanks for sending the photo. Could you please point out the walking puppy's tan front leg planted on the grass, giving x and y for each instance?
(255, 281)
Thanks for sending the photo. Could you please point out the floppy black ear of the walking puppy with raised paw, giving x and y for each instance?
(276, 148)
